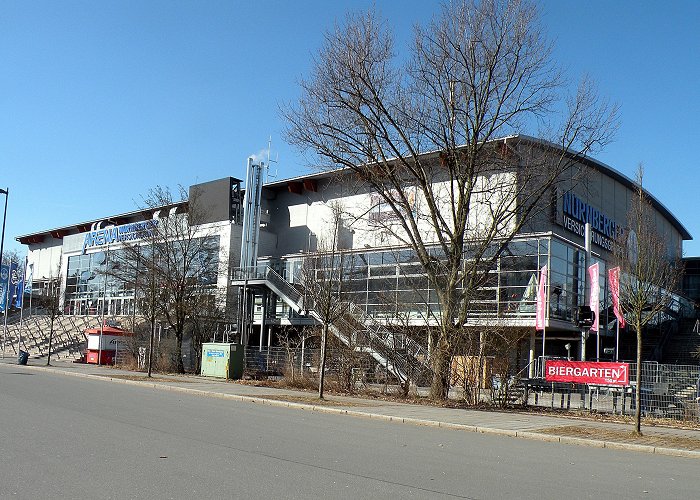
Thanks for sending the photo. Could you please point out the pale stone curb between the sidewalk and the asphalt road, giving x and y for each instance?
(536, 436)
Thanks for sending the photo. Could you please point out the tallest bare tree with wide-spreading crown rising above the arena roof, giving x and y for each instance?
(482, 70)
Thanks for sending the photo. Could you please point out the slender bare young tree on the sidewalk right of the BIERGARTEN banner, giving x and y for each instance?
(649, 274)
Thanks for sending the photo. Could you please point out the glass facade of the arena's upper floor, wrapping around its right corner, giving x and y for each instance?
(390, 284)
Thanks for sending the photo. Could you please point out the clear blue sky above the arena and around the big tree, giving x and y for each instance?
(101, 101)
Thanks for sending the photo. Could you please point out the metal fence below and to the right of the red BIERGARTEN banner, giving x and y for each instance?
(667, 391)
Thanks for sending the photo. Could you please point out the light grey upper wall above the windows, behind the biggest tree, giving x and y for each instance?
(305, 222)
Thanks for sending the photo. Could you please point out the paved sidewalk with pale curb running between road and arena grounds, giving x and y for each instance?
(569, 430)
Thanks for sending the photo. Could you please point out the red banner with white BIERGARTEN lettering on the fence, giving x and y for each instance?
(585, 372)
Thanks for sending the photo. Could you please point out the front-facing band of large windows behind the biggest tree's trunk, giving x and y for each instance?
(391, 284)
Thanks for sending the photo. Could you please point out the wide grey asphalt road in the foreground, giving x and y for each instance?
(67, 437)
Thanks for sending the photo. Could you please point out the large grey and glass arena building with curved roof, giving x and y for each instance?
(264, 238)
